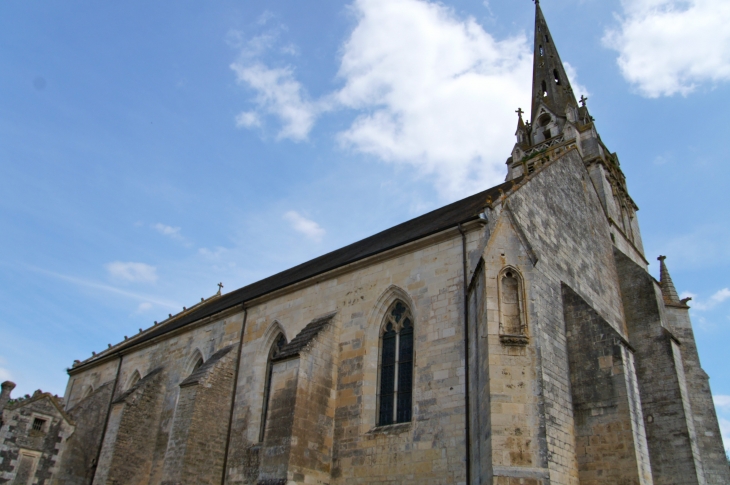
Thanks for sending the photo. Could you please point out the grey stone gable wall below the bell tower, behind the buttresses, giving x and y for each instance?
(566, 229)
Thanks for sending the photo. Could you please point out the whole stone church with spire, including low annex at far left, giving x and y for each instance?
(512, 337)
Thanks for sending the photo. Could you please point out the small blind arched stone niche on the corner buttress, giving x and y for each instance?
(512, 323)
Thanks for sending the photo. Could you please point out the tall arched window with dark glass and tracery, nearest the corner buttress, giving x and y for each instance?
(395, 399)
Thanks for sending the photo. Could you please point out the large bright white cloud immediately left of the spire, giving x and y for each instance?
(437, 92)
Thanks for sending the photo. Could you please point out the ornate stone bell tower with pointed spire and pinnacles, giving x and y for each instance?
(559, 122)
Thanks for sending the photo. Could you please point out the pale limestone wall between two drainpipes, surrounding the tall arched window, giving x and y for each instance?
(427, 276)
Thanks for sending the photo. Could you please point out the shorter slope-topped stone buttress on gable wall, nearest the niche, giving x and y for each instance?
(610, 438)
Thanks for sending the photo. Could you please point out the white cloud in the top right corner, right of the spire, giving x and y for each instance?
(669, 47)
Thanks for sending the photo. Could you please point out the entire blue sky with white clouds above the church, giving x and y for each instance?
(150, 150)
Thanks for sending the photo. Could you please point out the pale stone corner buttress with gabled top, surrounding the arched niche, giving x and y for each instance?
(510, 407)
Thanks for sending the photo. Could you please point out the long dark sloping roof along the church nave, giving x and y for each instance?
(426, 225)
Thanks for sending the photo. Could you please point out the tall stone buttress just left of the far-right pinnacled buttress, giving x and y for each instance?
(673, 447)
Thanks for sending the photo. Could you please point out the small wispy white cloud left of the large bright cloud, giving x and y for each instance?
(278, 94)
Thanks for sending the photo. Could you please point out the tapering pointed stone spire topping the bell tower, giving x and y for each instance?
(550, 83)
